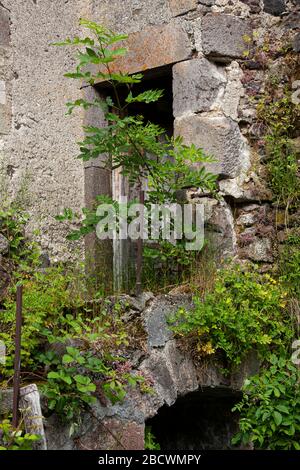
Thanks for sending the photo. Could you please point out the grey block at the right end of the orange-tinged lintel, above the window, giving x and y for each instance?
(222, 36)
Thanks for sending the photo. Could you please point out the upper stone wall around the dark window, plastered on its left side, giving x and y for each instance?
(212, 89)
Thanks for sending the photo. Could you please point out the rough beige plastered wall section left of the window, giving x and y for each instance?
(37, 141)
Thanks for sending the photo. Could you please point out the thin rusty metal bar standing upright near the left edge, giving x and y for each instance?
(17, 364)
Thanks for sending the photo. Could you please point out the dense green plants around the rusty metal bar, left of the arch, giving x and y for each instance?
(73, 346)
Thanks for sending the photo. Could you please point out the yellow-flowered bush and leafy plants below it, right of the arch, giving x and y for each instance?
(249, 311)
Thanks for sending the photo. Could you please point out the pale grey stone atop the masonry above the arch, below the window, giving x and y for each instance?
(155, 317)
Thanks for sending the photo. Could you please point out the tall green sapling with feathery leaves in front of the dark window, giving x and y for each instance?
(130, 142)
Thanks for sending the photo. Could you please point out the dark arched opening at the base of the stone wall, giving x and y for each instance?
(200, 420)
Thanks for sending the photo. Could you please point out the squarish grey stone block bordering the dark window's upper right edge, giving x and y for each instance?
(196, 85)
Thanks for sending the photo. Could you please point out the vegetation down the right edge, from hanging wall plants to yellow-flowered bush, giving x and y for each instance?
(246, 310)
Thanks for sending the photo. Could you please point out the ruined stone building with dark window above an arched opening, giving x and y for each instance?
(204, 52)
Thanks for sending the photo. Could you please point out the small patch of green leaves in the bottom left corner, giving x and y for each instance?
(15, 439)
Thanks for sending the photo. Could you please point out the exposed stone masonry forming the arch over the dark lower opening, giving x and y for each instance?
(170, 371)
